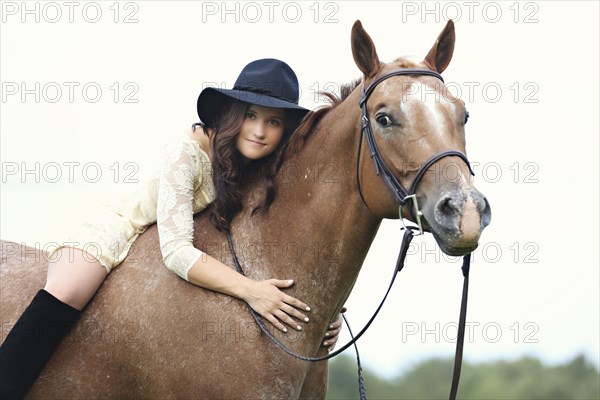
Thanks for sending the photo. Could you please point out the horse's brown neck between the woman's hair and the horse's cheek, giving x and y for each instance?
(317, 230)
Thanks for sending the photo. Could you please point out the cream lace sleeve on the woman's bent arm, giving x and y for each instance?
(175, 217)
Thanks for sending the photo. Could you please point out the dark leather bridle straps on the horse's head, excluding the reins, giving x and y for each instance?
(402, 195)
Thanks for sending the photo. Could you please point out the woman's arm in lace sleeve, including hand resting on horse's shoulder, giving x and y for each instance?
(180, 171)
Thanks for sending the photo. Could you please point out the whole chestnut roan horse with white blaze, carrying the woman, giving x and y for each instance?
(149, 334)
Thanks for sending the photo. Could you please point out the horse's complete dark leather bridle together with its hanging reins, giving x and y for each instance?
(403, 196)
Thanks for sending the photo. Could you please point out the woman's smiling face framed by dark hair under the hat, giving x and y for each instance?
(261, 132)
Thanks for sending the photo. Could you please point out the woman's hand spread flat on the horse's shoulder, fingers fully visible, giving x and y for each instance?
(275, 306)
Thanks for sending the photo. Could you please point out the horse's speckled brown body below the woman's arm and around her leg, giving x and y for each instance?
(149, 334)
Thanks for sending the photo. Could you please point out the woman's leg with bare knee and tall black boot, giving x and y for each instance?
(73, 278)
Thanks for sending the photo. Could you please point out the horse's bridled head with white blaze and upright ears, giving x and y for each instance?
(413, 118)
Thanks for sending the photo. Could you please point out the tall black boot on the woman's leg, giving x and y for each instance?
(31, 343)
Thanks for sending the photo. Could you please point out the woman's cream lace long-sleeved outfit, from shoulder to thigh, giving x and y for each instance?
(182, 188)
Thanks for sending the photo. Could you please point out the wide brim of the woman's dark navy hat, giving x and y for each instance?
(211, 101)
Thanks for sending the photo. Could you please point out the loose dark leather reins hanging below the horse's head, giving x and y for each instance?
(406, 239)
